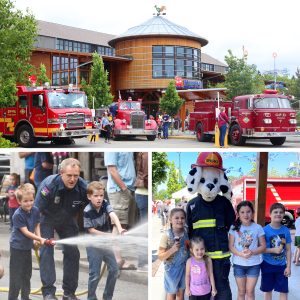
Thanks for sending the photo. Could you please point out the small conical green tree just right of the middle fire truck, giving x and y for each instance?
(170, 101)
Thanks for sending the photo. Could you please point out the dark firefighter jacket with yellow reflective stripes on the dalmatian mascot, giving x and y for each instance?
(211, 221)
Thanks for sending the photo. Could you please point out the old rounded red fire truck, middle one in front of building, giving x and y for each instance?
(130, 120)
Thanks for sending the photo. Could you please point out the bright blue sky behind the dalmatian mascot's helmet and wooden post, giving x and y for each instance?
(237, 163)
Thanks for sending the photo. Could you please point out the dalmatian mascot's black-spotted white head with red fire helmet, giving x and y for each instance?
(208, 178)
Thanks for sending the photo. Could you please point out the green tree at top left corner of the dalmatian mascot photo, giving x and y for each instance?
(160, 166)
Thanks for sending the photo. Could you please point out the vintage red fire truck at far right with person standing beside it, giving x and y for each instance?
(261, 116)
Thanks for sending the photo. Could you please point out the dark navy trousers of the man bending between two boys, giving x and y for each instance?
(70, 260)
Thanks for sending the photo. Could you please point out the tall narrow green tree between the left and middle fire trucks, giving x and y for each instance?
(99, 83)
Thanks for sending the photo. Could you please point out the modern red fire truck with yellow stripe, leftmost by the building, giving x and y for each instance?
(43, 114)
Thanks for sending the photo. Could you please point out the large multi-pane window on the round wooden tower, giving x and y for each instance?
(171, 61)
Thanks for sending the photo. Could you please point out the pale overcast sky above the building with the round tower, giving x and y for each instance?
(262, 26)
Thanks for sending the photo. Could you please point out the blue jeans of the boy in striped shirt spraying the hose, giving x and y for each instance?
(95, 257)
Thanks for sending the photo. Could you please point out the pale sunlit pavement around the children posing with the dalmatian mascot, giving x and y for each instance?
(156, 282)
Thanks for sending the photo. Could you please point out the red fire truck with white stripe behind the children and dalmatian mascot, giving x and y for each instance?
(282, 190)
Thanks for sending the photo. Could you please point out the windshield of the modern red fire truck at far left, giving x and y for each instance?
(67, 100)
